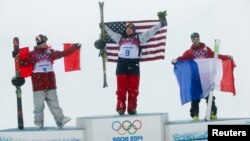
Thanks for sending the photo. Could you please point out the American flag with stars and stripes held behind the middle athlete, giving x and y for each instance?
(153, 49)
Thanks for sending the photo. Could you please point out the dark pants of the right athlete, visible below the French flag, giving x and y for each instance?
(194, 111)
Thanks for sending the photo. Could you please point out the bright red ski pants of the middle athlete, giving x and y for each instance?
(127, 84)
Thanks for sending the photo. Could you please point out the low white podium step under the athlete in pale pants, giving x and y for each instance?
(45, 134)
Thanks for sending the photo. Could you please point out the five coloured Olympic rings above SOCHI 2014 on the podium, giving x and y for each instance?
(126, 126)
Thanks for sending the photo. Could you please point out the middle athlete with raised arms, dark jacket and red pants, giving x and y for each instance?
(128, 66)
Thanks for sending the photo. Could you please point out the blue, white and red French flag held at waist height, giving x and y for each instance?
(198, 76)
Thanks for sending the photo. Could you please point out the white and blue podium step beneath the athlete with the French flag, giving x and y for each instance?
(187, 130)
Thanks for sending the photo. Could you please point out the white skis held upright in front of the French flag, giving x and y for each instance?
(211, 93)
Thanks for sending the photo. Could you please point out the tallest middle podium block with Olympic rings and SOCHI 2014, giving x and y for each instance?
(140, 127)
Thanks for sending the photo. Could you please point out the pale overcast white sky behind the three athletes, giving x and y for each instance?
(81, 93)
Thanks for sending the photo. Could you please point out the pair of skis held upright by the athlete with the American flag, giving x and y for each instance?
(103, 50)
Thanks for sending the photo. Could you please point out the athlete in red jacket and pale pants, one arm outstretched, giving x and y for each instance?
(44, 81)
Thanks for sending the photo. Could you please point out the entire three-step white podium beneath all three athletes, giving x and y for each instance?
(140, 127)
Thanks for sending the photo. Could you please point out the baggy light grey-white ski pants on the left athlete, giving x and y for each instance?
(50, 96)
